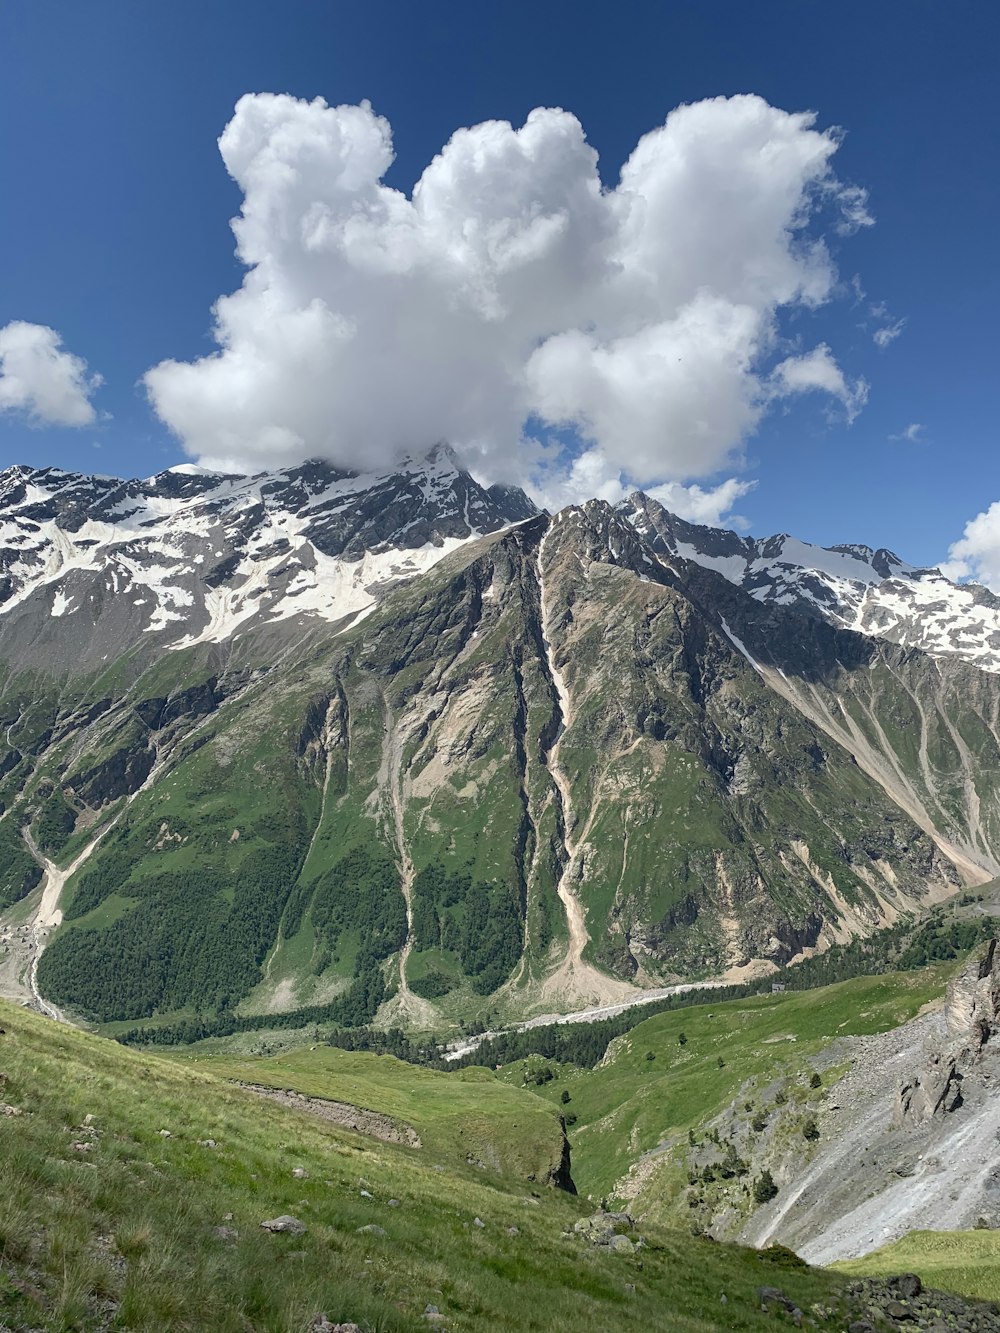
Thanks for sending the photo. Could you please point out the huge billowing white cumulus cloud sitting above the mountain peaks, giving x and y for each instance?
(513, 294)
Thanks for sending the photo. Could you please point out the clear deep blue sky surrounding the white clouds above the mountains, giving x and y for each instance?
(117, 223)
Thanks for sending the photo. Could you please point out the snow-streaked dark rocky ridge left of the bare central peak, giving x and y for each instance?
(193, 555)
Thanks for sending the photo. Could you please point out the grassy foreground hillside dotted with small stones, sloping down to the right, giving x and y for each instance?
(111, 1226)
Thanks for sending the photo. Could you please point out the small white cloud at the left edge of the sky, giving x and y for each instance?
(43, 381)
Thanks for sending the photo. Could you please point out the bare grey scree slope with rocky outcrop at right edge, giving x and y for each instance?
(906, 1136)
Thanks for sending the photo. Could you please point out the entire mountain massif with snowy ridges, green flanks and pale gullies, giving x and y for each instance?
(319, 746)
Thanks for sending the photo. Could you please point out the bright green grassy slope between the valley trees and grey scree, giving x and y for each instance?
(733, 1052)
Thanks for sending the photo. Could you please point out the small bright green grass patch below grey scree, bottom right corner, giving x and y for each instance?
(957, 1262)
